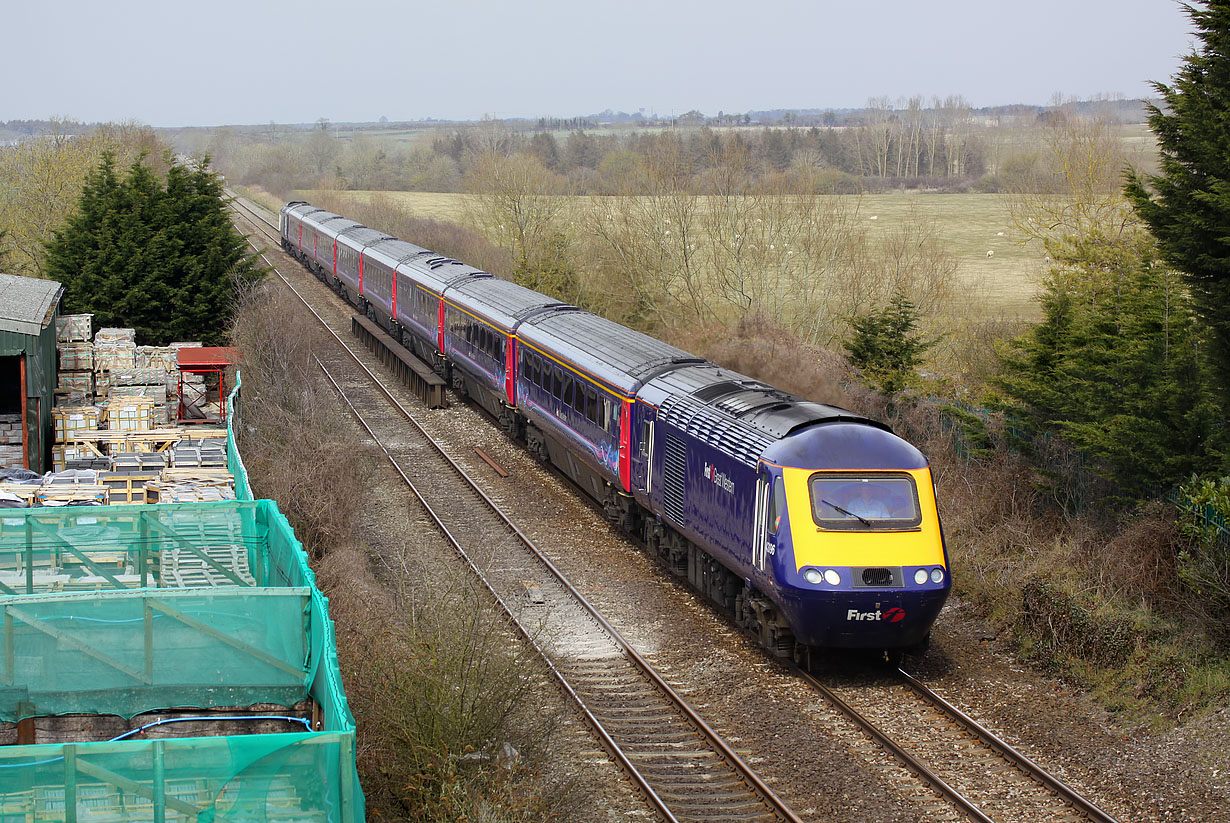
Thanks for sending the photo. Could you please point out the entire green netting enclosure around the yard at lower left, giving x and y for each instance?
(127, 610)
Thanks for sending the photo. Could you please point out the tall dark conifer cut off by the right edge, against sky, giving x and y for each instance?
(1188, 206)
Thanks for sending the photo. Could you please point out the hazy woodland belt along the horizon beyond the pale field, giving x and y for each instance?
(942, 145)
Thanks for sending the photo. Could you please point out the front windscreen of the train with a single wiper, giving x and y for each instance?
(854, 503)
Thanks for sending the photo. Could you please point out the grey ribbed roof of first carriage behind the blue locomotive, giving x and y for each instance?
(617, 355)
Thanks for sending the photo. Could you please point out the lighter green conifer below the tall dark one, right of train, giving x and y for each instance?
(1115, 365)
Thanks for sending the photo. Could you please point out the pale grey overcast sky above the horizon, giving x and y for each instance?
(174, 63)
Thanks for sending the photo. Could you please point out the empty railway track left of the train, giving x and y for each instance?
(684, 768)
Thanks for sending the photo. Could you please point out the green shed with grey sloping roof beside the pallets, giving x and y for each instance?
(29, 309)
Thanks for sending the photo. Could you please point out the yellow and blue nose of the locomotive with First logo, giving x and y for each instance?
(853, 543)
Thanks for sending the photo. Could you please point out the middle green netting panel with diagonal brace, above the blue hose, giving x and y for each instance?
(130, 653)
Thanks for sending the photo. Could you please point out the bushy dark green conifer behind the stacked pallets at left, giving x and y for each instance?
(162, 259)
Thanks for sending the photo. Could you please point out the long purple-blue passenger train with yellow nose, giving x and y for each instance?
(812, 527)
